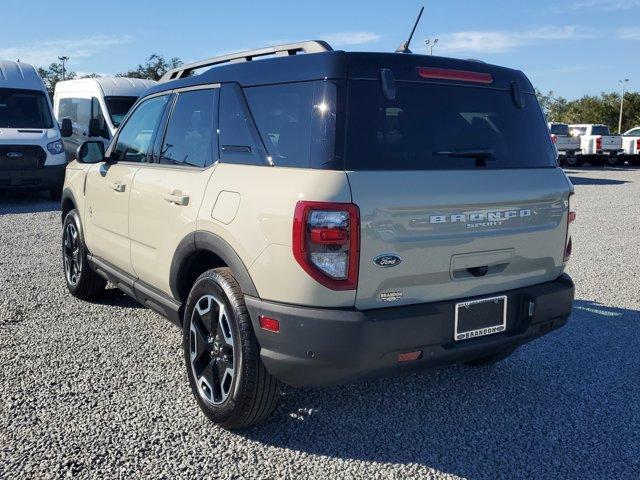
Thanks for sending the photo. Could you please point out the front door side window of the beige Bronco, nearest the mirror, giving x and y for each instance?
(136, 135)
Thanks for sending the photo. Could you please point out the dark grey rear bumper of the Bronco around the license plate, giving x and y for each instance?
(319, 347)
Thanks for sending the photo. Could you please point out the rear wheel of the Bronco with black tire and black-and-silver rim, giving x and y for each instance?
(244, 393)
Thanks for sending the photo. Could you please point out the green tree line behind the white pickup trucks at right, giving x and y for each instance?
(603, 108)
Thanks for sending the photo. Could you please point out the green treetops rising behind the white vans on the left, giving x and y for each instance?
(153, 68)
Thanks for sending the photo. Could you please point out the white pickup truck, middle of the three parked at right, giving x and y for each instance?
(598, 144)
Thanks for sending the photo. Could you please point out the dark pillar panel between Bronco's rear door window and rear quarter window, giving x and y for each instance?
(239, 142)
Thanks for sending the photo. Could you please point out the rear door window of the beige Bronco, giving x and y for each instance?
(191, 137)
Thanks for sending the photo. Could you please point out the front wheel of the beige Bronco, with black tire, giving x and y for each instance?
(81, 281)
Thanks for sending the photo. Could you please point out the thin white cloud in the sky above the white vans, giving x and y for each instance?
(45, 52)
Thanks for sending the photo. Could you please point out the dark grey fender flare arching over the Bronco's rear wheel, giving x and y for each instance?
(210, 242)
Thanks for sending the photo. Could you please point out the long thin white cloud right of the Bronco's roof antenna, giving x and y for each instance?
(499, 41)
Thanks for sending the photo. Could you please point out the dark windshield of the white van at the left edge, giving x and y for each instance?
(24, 109)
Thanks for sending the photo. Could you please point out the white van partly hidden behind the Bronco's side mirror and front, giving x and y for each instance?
(92, 108)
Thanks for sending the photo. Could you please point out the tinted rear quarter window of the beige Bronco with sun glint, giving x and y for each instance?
(297, 122)
